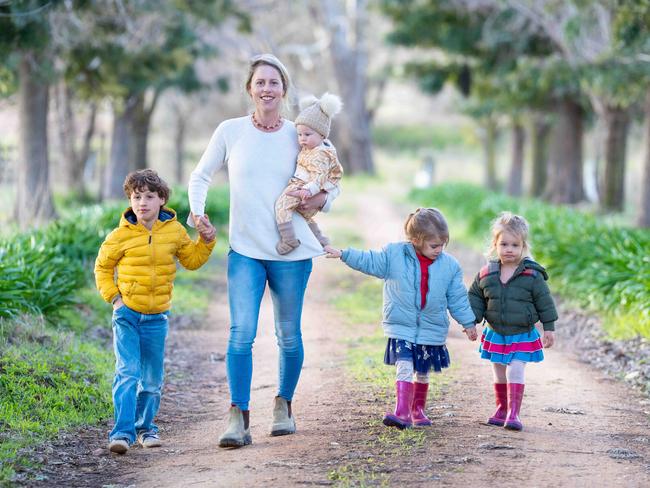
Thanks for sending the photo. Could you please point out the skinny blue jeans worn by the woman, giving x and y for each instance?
(247, 278)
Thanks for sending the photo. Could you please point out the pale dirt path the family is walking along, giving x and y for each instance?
(581, 429)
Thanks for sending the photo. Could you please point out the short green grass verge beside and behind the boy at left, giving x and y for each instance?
(56, 375)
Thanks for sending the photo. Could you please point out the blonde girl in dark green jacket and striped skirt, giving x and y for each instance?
(511, 293)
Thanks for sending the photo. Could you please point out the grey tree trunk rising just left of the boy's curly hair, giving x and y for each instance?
(119, 163)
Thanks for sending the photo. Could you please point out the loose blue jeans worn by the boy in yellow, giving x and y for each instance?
(139, 345)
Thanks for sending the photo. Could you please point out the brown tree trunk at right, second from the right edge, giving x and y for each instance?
(617, 121)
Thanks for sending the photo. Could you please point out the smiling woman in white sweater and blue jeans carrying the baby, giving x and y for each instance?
(261, 151)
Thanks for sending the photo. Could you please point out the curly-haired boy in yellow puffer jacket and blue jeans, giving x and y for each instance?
(142, 250)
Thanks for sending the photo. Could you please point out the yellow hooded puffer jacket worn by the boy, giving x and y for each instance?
(144, 260)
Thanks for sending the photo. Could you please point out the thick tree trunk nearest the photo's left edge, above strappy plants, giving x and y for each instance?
(33, 195)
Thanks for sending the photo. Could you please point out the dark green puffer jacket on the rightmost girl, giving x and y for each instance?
(516, 306)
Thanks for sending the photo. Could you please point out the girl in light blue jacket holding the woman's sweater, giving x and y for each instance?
(421, 282)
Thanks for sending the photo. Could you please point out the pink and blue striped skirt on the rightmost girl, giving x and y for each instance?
(502, 349)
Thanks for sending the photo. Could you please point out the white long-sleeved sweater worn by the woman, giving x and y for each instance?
(260, 165)
